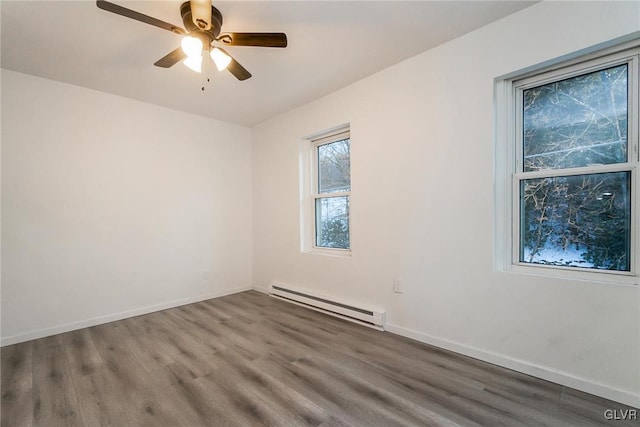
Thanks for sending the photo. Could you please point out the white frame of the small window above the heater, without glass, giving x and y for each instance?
(309, 191)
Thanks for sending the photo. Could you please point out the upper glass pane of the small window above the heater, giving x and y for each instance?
(334, 167)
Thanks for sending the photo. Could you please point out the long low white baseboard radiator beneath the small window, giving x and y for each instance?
(364, 316)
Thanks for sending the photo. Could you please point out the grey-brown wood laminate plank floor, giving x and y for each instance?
(249, 360)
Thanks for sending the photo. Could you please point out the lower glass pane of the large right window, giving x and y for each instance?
(577, 221)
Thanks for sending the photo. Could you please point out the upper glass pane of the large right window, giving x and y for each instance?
(576, 122)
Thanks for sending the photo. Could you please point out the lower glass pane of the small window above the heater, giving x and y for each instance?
(332, 222)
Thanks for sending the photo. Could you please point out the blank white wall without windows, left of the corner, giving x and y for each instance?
(112, 207)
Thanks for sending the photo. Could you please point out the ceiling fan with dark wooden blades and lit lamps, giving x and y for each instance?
(203, 24)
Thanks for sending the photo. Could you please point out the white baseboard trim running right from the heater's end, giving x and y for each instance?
(549, 374)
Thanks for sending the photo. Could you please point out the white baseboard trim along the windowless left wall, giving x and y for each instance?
(59, 329)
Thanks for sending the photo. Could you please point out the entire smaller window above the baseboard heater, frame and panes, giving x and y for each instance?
(328, 200)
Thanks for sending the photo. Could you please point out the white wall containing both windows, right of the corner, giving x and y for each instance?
(422, 208)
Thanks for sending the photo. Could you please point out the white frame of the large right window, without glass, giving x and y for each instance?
(510, 172)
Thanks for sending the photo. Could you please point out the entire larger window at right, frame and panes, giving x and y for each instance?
(574, 132)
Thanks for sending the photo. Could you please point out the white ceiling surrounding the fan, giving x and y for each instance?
(331, 45)
